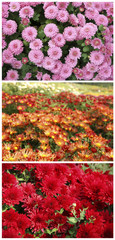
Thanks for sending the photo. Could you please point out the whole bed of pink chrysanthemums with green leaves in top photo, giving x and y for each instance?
(57, 41)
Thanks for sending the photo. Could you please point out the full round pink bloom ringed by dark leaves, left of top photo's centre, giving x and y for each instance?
(29, 34)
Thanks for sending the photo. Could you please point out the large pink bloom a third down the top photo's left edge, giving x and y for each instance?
(10, 27)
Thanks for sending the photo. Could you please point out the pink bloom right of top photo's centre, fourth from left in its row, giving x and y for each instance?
(70, 34)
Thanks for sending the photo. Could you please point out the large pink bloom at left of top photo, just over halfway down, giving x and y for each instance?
(16, 46)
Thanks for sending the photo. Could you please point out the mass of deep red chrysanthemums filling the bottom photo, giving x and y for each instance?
(57, 201)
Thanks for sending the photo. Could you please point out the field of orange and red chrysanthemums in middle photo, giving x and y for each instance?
(62, 127)
